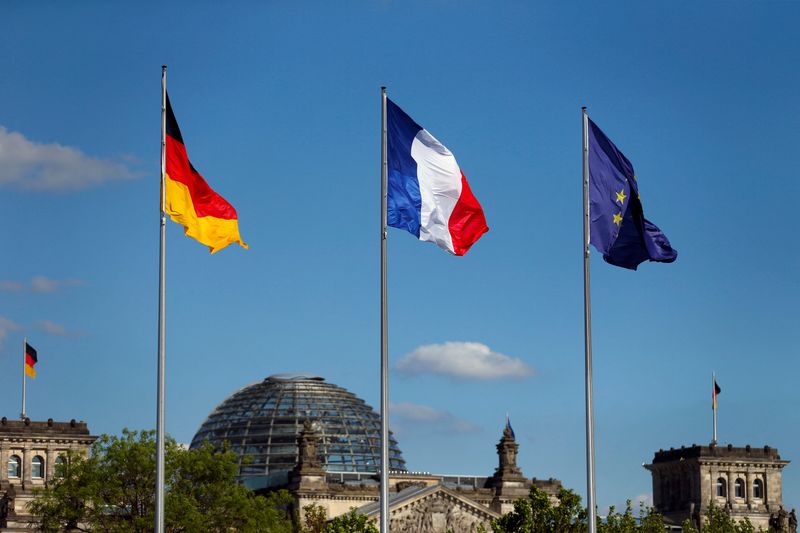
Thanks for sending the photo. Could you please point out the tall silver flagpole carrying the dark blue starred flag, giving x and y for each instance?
(587, 330)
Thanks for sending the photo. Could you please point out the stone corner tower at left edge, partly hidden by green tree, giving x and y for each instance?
(29, 453)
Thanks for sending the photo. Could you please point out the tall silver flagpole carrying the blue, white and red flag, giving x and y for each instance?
(384, 497)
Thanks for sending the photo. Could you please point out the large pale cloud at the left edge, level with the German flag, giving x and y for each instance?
(28, 165)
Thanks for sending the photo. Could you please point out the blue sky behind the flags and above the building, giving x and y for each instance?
(279, 107)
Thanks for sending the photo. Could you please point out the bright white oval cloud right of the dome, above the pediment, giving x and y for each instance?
(464, 360)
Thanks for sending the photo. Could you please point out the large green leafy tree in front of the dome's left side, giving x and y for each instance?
(113, 490)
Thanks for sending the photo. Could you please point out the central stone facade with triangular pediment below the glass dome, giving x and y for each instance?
(418, 502)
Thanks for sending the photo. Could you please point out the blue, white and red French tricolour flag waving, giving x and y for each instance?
(427, 194)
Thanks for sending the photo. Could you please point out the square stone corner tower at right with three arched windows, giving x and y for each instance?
(745, 481)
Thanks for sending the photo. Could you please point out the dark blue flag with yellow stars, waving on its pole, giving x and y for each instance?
(618, 227)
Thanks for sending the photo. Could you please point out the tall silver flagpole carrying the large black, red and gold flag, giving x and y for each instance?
(162, 272)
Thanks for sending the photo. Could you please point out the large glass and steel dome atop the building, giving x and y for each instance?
(261, 423)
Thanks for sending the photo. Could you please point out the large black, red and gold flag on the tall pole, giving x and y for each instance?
(205, 215)
